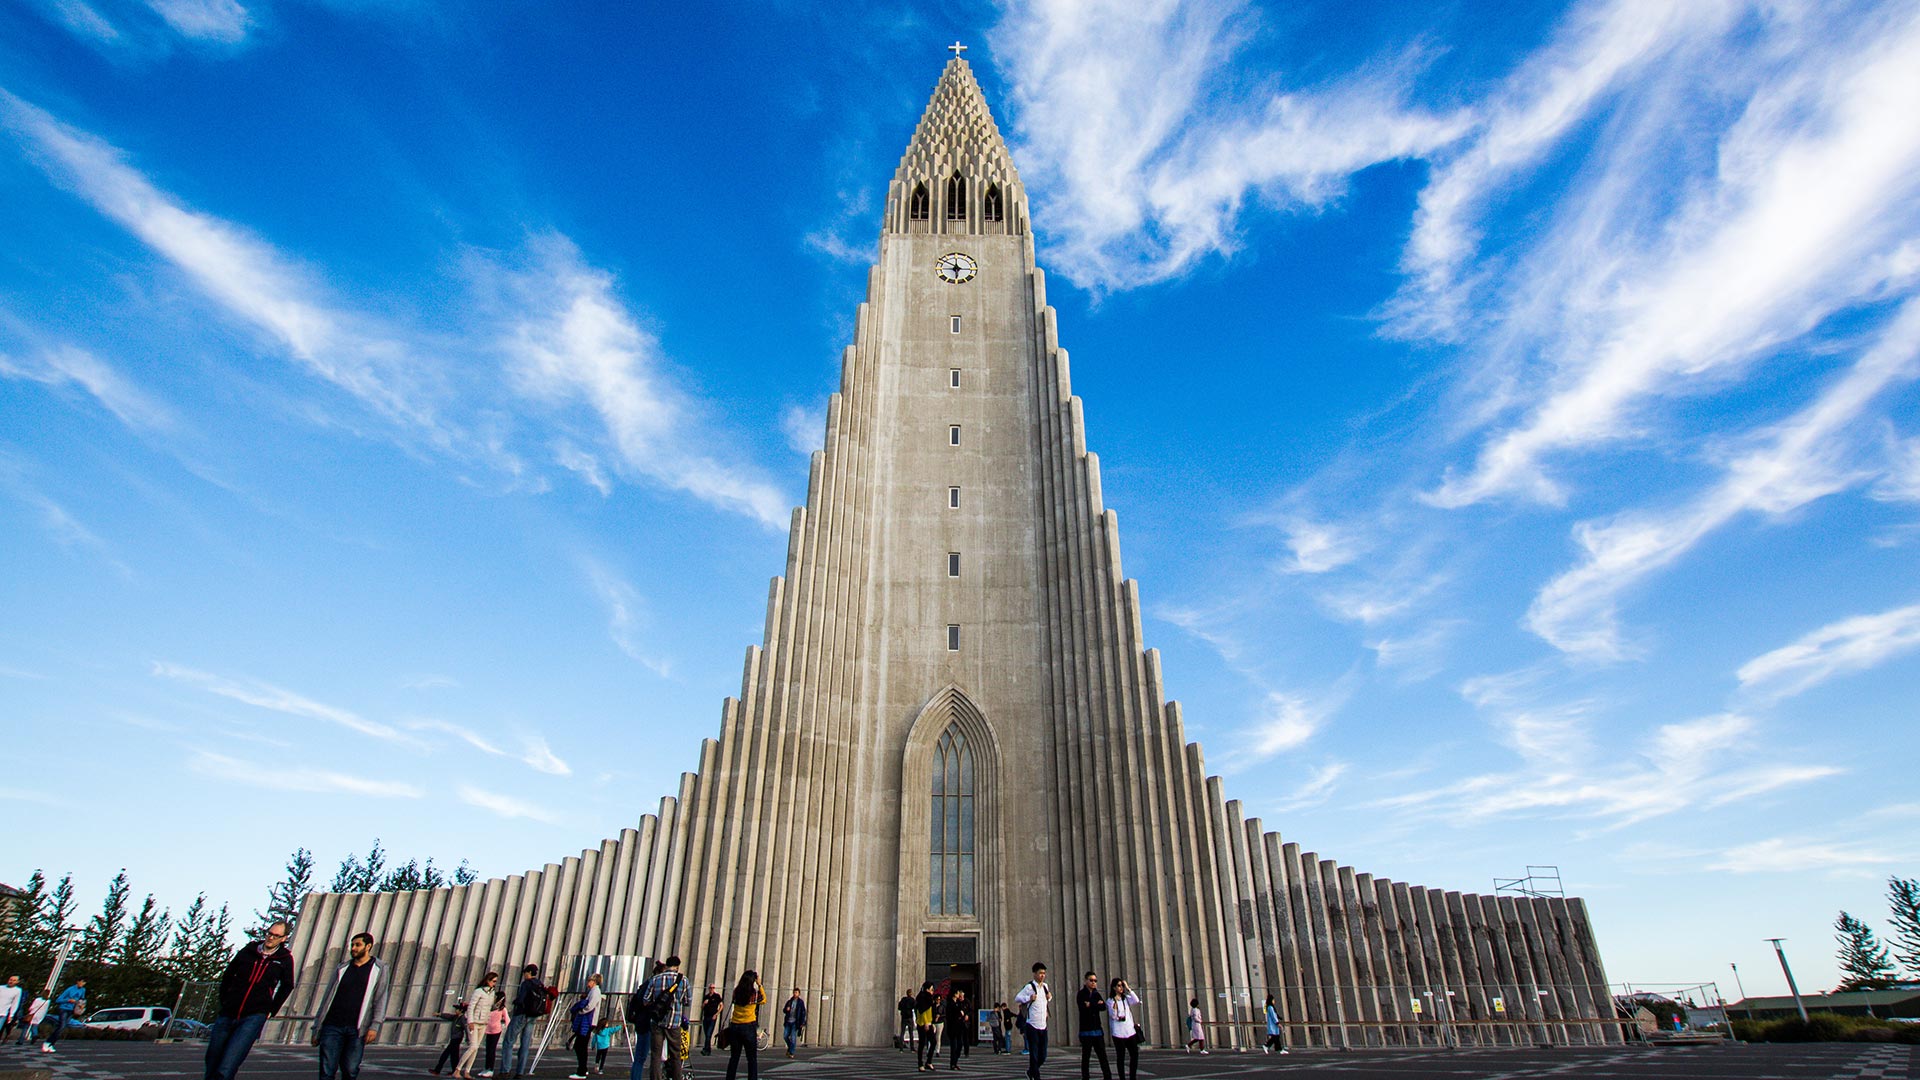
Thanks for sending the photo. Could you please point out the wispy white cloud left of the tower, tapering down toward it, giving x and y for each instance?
(573, 341)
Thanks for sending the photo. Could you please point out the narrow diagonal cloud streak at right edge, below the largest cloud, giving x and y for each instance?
(1787, 468)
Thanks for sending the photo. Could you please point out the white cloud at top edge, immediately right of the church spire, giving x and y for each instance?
(1145, 160)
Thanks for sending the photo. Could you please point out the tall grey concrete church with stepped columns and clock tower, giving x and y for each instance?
(953, 754)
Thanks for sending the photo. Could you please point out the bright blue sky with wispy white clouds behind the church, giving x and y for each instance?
(1510, 412)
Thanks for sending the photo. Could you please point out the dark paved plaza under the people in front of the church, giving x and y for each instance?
(1825, 1062)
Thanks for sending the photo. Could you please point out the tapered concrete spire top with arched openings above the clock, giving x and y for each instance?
(957, 174)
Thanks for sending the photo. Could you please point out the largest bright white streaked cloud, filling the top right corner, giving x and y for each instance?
(1792, 226)
